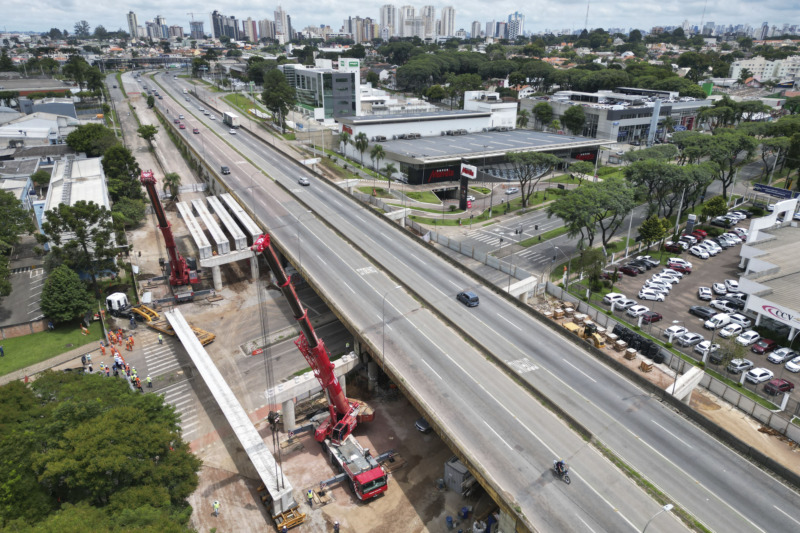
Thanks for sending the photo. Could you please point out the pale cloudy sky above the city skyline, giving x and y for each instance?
(41, 15)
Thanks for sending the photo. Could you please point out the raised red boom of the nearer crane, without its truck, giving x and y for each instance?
(344, 413)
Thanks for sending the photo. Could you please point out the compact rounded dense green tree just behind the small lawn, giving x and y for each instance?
(64, 296)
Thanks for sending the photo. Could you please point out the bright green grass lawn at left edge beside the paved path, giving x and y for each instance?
(31, 349)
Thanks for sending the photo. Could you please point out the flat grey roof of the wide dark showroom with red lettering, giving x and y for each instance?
(475, 145)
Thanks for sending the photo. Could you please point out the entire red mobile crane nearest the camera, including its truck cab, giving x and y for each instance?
(367, 476)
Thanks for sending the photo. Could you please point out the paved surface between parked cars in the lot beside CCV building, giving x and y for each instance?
(683, 295)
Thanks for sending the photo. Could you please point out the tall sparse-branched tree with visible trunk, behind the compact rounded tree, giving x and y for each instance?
(83, 232)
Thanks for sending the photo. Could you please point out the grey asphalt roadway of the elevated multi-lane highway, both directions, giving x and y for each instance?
(506, 433)
